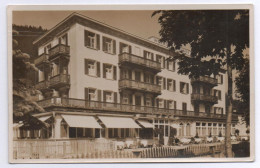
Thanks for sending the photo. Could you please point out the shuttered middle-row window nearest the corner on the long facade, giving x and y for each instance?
(92, 68)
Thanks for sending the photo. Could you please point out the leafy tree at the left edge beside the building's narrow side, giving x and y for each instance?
(23, 103)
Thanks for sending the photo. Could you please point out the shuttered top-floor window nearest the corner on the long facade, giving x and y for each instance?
(92, 40)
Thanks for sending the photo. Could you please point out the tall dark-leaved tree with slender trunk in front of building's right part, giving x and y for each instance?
(216, 38)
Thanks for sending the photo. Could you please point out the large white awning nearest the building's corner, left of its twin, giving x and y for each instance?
(81, 121)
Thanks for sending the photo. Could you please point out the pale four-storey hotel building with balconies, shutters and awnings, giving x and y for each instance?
(101, 82)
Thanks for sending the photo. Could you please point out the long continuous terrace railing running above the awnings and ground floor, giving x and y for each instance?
(125, 108)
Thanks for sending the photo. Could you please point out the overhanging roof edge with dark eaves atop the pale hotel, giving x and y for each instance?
(89, 22)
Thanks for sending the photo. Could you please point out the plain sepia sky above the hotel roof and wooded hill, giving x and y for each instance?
(139, 23)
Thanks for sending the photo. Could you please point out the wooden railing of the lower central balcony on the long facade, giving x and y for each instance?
(132, 84)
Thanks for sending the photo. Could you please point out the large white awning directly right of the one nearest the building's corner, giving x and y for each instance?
(118, 122)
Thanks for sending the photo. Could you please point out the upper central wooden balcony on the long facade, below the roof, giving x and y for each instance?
(133, 60)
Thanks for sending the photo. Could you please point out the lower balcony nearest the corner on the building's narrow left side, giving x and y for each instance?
(59, 80)
